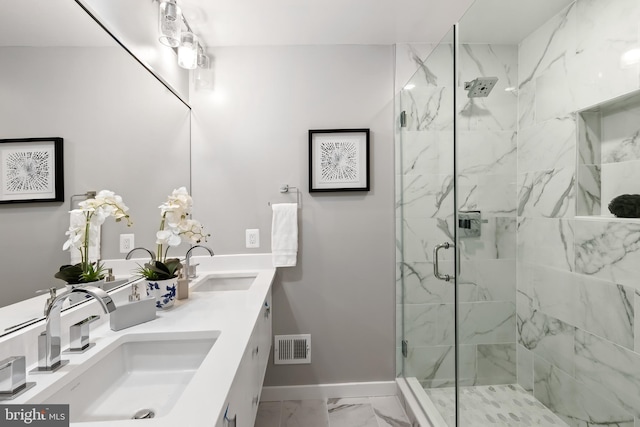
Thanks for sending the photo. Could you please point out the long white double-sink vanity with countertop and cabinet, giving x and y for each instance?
(200, 363)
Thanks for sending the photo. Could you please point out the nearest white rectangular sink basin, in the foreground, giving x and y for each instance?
(143, 372)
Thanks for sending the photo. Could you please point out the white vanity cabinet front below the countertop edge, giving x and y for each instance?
(244, 396)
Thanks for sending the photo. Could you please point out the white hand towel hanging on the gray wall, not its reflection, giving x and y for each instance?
(284, 234)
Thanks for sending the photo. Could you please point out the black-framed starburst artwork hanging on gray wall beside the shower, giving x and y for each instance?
(338, 160)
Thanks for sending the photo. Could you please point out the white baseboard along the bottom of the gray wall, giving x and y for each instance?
(328, 391)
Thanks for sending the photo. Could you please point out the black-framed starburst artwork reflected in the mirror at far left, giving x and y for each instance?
(31, 170)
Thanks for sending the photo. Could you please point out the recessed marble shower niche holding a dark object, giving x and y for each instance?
(608, 154)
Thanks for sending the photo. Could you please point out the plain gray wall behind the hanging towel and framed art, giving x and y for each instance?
(250, 136)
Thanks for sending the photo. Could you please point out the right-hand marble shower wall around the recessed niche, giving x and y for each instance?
(578, 340)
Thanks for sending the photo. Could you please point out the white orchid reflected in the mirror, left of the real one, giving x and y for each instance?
(85, 233)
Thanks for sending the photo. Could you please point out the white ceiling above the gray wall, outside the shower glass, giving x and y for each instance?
(304, 22)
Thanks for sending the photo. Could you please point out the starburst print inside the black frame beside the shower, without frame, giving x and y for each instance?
(339, 161)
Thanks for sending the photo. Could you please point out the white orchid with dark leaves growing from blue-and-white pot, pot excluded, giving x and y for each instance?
(176, 227)
